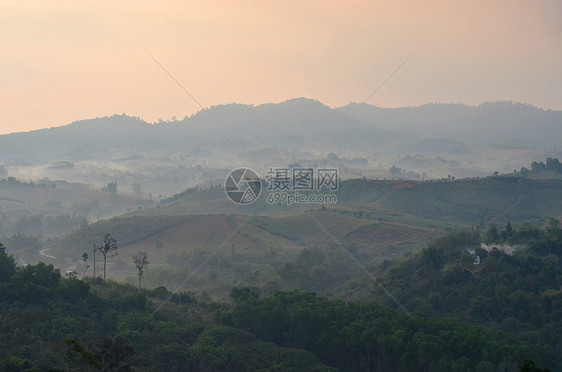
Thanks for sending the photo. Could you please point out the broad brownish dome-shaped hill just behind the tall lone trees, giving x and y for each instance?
(215, 251)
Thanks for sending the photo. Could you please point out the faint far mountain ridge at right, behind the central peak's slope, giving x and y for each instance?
(499, 123)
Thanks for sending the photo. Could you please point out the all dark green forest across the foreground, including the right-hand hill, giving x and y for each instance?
(497, 314)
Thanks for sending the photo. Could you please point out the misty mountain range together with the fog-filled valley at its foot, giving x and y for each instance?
(436, 140)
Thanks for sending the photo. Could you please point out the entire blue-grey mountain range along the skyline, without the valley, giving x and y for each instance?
(286, 132)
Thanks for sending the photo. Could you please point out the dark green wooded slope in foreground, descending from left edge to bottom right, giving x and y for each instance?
(56, 324)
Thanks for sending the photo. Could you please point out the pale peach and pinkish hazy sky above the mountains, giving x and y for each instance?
(62, 61)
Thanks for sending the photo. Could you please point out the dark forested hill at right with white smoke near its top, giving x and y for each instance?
(513, 285)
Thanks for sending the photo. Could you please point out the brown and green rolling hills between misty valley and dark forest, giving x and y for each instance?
(375, 220)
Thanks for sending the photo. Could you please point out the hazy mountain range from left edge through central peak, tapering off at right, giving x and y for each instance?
(295, 125)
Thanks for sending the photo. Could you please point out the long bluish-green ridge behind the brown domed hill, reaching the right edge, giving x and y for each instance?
(467, 201)
